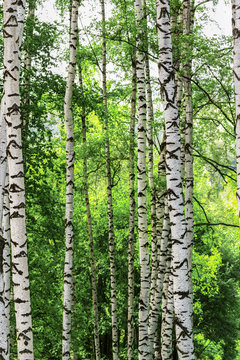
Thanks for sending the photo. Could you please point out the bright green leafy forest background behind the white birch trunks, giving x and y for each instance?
(216, 271)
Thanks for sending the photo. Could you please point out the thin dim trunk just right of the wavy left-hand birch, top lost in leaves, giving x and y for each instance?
(90, 235)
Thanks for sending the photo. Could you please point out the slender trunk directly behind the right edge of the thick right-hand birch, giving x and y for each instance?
(187, 24)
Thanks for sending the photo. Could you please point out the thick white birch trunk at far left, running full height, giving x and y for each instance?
(13, 29)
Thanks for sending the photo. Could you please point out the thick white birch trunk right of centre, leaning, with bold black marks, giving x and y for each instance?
(181, 290)
